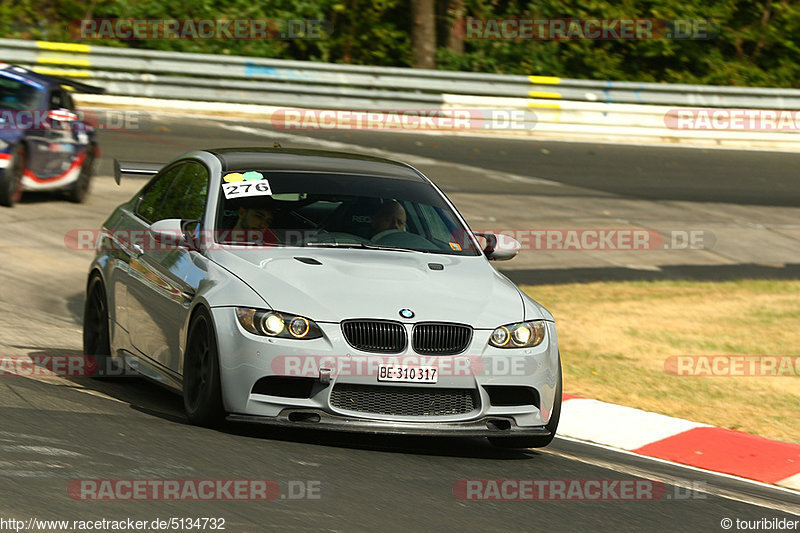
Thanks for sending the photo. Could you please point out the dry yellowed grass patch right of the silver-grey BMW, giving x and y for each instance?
(615, 337)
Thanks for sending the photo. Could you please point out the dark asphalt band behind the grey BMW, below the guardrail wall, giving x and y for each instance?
(648, 172)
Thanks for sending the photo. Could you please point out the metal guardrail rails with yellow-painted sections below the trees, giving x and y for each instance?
(133, 72)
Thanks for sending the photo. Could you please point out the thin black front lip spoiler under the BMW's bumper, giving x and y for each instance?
(471, 428)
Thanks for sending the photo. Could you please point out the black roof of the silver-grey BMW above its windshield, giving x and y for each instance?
(303, 160)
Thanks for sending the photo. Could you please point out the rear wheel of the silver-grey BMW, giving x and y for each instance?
(96, 337)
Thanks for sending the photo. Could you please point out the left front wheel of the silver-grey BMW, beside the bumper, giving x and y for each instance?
(202, 392)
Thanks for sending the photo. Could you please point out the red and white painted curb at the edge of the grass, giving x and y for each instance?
(681, 441)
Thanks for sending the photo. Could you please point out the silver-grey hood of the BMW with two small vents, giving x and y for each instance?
(353, 283)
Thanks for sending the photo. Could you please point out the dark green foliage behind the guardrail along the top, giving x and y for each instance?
(756, 43)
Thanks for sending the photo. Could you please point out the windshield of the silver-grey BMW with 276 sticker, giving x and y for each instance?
(307, 209)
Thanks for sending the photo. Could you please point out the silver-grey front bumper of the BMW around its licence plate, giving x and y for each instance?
(246, 358)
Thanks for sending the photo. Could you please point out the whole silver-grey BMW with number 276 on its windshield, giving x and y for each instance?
(321, 290)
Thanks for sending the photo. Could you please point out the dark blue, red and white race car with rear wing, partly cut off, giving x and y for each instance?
(44, 142)
